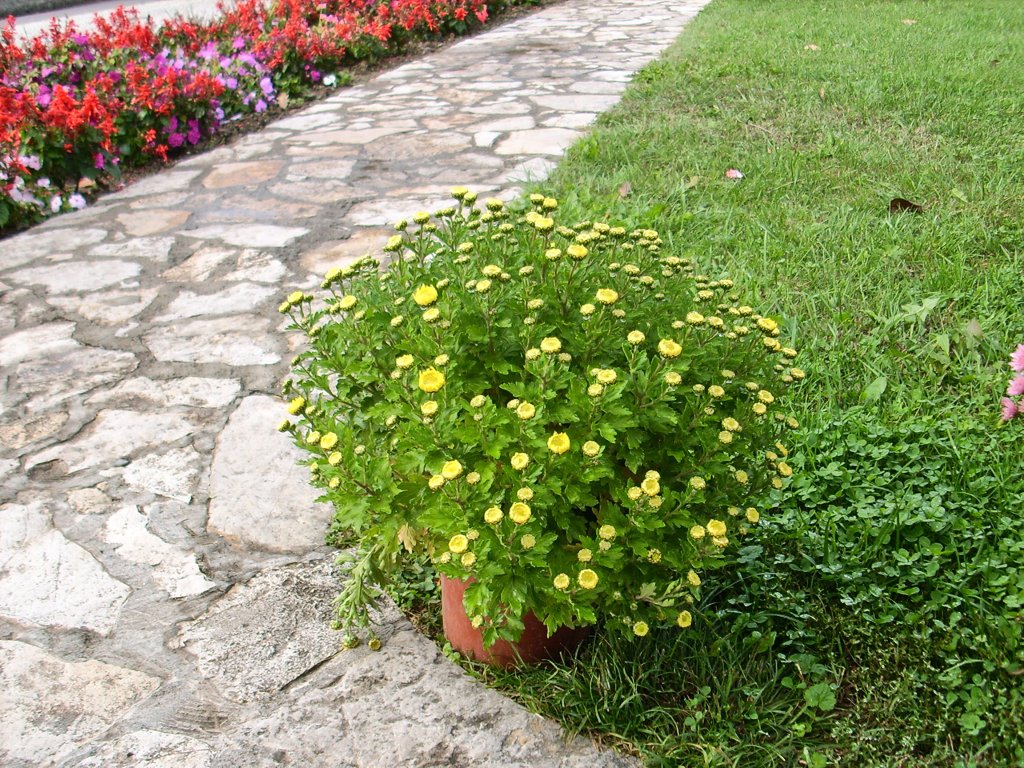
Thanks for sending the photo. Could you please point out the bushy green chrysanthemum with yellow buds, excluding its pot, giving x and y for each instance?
(572, 422)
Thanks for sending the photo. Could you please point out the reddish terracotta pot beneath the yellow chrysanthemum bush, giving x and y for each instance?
(534, 647)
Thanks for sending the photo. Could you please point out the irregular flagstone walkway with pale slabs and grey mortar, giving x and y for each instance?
(164, 591)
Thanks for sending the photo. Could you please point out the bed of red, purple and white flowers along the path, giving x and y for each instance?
(77, 107)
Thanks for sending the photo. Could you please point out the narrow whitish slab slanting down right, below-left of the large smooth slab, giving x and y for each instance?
(176, 572)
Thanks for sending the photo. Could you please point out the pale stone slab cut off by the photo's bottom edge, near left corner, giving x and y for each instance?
(152, 749)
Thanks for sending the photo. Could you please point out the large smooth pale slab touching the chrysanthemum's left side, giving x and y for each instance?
(259, 497)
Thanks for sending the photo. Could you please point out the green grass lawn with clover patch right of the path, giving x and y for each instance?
(877, 621)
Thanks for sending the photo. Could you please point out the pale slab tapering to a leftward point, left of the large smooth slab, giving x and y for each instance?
(113, 437)
